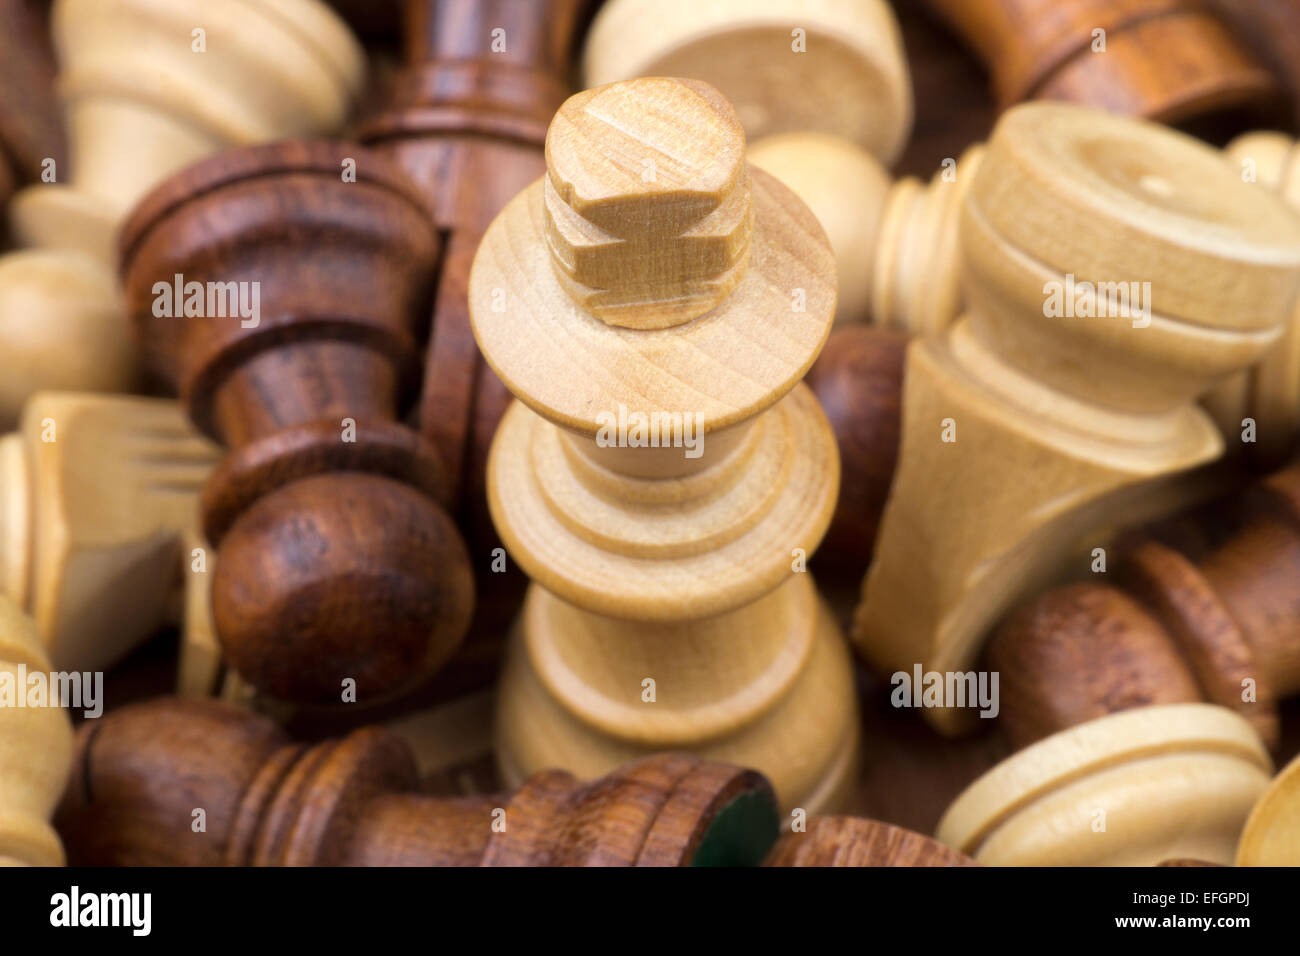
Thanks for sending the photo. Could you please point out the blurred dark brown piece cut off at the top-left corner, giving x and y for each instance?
(31, 132)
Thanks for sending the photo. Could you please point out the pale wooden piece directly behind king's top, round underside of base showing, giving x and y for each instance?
(835, 67)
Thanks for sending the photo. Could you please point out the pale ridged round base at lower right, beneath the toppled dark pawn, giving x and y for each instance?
(1128, 790)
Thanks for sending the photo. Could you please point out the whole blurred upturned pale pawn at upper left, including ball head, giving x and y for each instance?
(146, 90)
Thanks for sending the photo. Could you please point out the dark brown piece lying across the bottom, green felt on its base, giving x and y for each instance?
(145, 769)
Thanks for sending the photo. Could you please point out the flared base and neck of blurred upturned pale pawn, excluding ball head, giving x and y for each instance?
(149, 89)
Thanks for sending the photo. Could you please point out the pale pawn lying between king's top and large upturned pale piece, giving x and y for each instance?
(895, 243)
